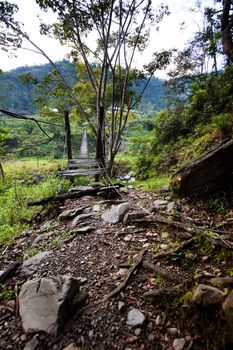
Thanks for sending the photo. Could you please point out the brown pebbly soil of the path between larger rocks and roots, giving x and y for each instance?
(101, 260)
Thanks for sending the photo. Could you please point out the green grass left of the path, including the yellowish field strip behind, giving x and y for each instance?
(20, 188)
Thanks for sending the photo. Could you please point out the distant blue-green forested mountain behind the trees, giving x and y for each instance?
(16, 96)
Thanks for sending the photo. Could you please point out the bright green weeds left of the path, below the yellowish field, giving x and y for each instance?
(15, 194)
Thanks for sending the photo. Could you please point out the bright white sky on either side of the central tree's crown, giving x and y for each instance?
(169, 35)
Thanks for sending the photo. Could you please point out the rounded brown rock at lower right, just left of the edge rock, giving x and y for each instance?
(206, 296)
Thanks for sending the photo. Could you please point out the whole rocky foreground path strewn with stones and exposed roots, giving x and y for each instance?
(153, 274)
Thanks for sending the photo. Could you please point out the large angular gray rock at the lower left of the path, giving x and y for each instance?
(45, 303)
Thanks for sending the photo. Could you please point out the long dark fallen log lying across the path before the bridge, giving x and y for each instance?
(72, 195)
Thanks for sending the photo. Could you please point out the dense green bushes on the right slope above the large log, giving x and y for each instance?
(190, 127)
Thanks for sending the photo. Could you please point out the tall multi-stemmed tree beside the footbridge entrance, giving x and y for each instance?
(107, 33)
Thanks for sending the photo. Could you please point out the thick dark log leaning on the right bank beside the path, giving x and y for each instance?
(209, 173)
